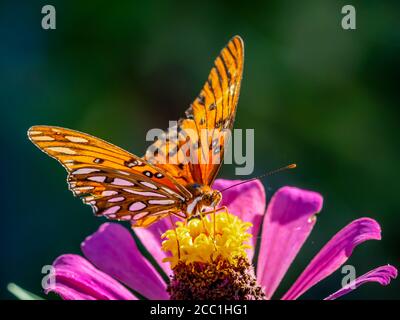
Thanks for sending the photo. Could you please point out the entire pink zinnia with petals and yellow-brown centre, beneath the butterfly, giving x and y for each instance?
(216, 259)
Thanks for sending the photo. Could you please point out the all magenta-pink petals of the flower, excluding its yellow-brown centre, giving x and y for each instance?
(114, 262)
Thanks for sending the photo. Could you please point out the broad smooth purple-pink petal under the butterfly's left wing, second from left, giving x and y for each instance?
(113, 250)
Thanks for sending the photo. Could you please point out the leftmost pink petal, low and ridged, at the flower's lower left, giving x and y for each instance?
(78, 279)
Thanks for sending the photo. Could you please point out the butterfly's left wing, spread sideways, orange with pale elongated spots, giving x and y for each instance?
(116, 183)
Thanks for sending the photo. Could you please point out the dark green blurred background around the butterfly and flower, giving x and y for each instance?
(318, 95)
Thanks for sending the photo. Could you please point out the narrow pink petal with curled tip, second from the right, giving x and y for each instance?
(334, 254)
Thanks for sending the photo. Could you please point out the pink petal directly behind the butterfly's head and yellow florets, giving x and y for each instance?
(247, 201)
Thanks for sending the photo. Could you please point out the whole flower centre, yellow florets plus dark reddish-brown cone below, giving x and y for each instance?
(211, 265)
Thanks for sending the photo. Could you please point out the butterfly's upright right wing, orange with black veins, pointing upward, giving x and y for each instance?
(207, 126)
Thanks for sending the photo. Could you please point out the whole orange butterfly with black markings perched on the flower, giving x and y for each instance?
(122, 186)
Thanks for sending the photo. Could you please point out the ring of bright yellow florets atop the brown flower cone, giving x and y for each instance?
(202, 240)
